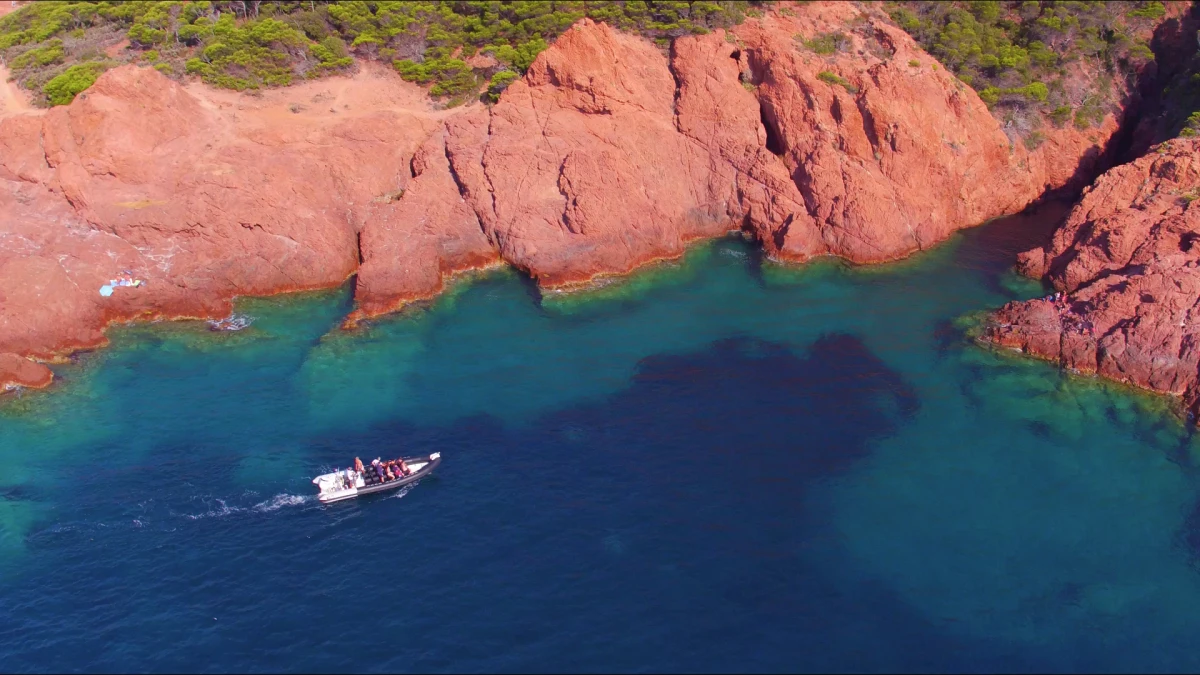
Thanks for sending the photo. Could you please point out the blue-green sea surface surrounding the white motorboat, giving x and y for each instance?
(715, 465)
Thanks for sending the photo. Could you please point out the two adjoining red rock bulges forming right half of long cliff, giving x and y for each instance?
(607, 158)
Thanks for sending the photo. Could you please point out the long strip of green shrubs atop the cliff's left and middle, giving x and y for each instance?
(249, 45)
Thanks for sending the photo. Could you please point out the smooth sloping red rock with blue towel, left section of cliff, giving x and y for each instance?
(203, 195)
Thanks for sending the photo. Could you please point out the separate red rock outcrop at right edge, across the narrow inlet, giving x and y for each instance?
(1129, 264)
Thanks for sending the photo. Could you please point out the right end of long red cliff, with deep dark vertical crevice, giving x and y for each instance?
(890, 152)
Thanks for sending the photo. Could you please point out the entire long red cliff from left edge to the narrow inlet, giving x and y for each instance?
(609, 154)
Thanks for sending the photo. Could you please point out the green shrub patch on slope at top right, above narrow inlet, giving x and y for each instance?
(1018, 55)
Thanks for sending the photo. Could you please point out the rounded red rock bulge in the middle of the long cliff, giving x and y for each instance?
(580, 170)
